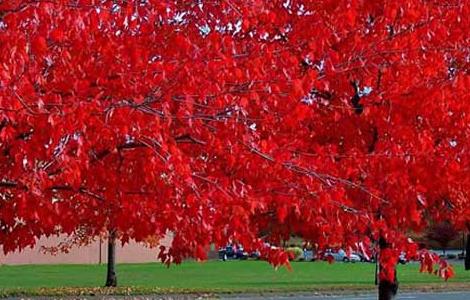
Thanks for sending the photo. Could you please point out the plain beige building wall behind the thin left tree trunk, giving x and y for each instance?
(90, 254)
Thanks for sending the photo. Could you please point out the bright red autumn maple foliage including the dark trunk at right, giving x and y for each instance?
(344, 122)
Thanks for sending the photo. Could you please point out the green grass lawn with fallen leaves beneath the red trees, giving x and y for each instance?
(211, 277)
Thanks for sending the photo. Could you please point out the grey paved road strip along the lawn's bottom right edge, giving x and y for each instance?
(402, 296)
